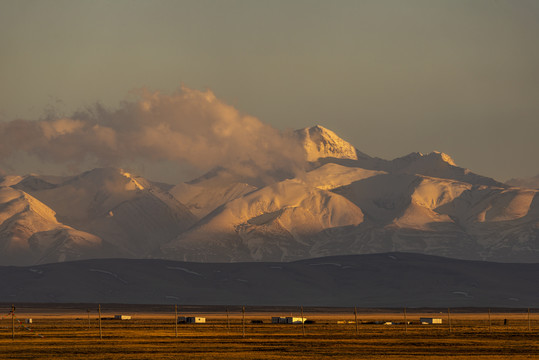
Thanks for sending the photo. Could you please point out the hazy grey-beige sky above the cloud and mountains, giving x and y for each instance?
(391, 77)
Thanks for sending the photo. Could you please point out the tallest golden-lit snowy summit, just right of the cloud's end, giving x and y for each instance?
(320, 142)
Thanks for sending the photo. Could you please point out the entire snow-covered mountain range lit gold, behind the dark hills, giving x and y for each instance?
(346, 202)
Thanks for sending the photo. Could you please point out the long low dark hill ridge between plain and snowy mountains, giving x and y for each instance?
(374, 280)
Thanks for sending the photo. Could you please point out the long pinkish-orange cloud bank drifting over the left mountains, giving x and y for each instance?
(187, 127)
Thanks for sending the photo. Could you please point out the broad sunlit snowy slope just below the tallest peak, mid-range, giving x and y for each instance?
(270, 222)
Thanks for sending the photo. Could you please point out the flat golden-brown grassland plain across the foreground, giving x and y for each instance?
(64, 332)
